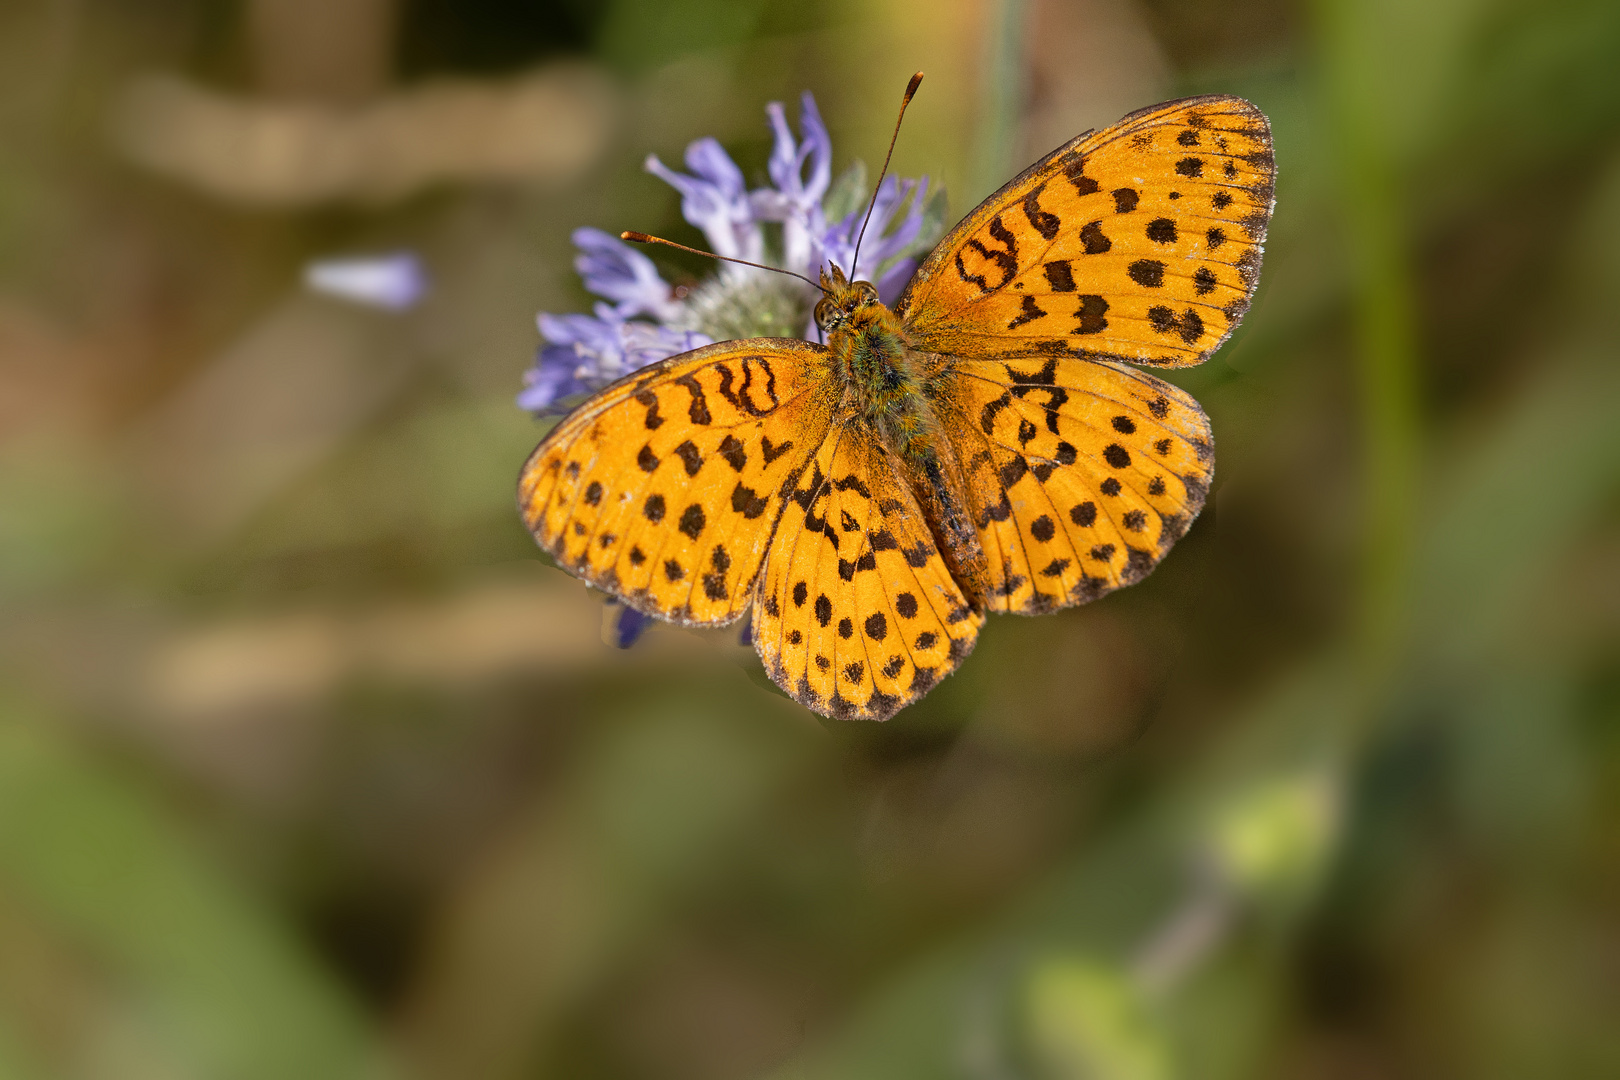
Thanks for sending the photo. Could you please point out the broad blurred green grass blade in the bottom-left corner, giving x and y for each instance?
(224, 990)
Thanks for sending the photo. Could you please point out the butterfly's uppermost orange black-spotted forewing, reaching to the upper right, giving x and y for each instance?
(1138, 244)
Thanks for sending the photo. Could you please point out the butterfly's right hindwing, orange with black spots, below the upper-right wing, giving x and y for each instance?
(1081, 475)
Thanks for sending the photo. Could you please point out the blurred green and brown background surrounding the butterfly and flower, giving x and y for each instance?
(312, 767)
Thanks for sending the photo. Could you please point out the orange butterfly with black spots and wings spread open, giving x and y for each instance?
(986, 446)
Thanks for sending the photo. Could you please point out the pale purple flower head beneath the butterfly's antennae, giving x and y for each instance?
(641, 318)
